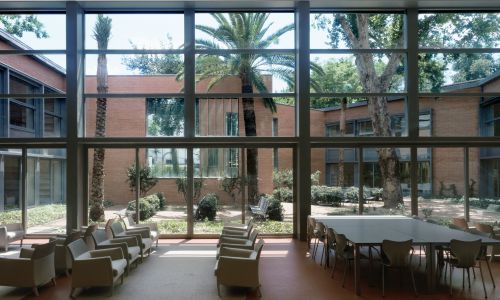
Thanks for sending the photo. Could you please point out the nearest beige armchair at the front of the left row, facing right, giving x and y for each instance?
(95, 267)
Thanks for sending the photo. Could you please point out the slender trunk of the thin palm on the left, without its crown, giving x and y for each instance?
(96, 210)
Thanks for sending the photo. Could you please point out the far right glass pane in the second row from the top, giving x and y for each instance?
(458, 73)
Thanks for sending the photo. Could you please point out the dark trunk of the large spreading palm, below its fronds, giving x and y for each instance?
(250, 130)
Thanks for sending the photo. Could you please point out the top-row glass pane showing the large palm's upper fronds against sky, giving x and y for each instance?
(245, 31)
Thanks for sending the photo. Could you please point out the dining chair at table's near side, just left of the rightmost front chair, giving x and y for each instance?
(397, 254)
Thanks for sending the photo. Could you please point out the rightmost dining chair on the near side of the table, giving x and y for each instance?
(464, 255)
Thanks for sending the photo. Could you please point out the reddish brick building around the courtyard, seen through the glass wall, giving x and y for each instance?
(133, 117)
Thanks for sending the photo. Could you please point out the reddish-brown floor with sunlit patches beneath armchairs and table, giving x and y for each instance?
(287, 272)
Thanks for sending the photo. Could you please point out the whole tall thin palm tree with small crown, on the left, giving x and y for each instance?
(102, 33)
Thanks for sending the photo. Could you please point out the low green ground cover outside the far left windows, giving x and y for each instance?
(38, 215)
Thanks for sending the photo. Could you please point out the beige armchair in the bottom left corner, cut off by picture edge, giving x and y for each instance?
(33, 268)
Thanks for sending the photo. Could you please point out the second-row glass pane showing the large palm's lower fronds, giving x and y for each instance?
(224, 73)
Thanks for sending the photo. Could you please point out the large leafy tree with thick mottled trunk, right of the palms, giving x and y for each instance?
(383, 31)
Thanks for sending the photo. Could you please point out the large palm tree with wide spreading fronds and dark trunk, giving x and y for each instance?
(246, 31)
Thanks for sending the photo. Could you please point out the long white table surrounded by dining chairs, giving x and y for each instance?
(372, 230)
